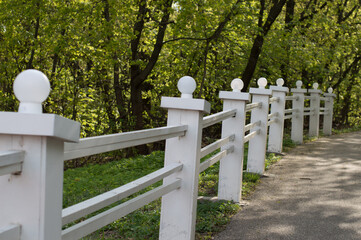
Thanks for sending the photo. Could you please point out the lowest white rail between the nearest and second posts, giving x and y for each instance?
(94, 223)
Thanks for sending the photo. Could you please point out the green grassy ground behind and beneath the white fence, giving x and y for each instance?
(88, 181)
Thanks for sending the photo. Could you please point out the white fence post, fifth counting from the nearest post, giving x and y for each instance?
(275, 139)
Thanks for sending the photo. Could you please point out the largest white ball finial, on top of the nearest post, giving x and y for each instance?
(31, 88)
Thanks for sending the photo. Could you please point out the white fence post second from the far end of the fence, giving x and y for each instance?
(315, 114)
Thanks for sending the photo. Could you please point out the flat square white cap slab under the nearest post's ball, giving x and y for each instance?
(49, 125)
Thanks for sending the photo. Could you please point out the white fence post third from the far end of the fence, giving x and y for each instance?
(298, 103)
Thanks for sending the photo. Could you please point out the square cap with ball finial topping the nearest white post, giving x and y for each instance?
(32, 88)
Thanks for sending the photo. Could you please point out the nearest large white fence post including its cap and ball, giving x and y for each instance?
(33, 198)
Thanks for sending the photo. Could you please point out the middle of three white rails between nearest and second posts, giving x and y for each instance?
(91, 205)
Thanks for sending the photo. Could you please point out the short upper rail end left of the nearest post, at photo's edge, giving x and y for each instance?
(11, 162)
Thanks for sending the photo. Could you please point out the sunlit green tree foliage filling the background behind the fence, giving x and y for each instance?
(84, 47)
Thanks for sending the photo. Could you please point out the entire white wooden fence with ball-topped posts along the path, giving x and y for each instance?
(34, 146)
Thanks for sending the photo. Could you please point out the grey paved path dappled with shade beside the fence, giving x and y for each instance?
(314, 192)
